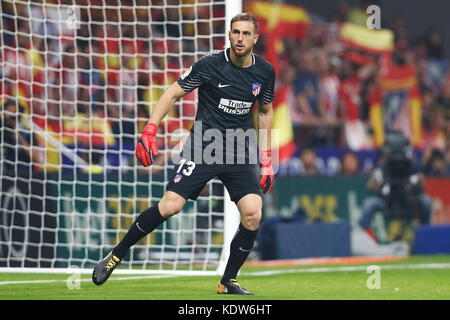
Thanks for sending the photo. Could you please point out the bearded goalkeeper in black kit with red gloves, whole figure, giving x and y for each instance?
(229, 82)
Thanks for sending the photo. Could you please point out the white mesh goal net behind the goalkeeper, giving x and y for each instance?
(78, 81)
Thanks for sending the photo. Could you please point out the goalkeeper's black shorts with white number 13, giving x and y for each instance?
(189, 179)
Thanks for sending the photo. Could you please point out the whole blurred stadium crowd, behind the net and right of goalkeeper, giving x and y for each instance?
(93, 87)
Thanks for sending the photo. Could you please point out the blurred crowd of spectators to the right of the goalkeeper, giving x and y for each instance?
(334, 90)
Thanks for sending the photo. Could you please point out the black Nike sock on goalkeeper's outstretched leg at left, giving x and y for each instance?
(147, 221)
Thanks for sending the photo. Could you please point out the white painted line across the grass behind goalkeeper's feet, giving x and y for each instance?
(266, 273)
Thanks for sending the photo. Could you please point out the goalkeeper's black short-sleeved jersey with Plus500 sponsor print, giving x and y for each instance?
(227, 92)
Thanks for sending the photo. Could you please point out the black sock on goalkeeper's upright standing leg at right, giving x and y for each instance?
(240, 248)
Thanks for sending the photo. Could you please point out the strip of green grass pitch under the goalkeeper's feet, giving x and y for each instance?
(416, 277)
